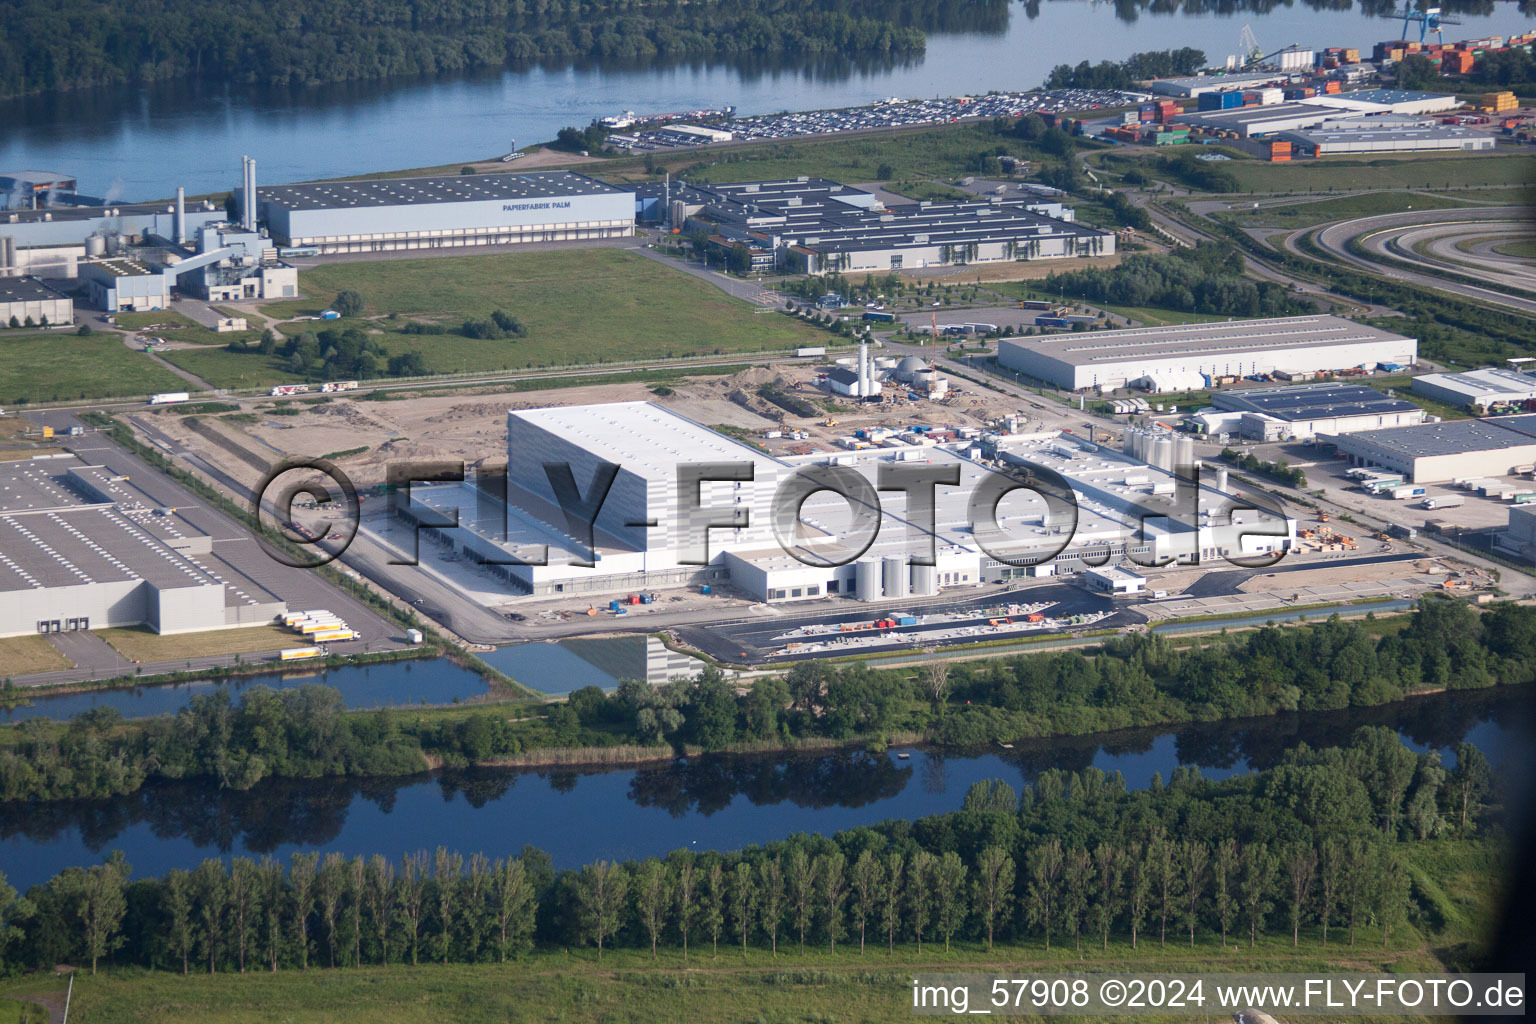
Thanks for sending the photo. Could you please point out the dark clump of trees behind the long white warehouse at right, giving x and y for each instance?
(1207, 279)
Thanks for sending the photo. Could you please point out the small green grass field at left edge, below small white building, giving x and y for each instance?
(64, 368)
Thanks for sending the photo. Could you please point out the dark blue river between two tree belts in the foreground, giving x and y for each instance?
(706, 804)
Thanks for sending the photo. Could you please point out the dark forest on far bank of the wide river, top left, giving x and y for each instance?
(294, 44)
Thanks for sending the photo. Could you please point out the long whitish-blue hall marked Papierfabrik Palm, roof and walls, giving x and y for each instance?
(445, 213)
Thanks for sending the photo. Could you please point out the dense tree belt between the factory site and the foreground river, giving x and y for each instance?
(1137, 681)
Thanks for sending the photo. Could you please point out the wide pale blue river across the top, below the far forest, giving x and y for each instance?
(144, 144)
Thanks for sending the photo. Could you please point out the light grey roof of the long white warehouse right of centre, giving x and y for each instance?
(1196, 340)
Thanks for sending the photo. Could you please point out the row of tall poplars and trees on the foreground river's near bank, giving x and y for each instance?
(1317, 844)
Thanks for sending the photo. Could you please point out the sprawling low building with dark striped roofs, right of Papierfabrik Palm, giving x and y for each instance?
(816, 226)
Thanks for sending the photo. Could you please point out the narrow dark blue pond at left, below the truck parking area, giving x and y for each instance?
(391, 685)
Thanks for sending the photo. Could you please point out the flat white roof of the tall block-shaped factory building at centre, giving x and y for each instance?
(640, 437)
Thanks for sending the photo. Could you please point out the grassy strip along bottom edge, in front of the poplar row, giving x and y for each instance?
(1454, 896)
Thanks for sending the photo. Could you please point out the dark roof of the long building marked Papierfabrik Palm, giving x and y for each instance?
(480, 188)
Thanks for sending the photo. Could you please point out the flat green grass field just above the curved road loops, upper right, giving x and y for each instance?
(1412, 171)
